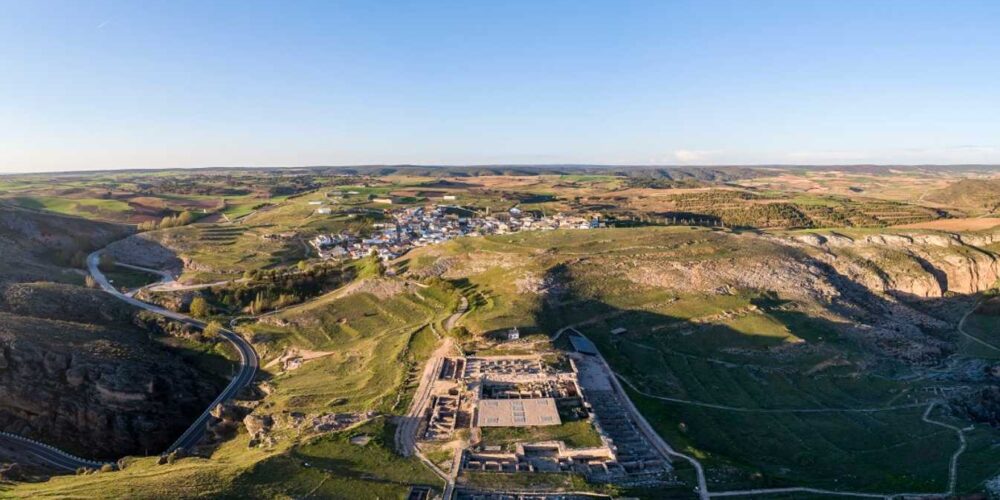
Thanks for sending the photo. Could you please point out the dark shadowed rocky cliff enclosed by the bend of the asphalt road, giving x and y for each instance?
(98, 388)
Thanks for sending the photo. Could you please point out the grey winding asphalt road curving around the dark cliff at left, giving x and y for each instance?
(249, 363)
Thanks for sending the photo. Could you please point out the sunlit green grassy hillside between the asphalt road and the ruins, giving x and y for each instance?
(377, 348)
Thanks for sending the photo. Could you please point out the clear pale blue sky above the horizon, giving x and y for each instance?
(116, 84)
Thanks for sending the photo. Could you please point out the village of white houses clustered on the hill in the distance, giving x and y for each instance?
(421, 226)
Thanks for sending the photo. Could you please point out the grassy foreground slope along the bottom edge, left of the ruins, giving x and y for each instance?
(337, 469)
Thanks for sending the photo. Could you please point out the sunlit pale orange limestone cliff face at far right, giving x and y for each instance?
(919, 265)
